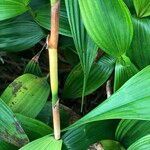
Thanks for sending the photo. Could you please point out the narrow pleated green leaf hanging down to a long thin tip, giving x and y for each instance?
(85, 47)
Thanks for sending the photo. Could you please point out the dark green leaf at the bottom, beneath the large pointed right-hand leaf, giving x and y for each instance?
(82, 137)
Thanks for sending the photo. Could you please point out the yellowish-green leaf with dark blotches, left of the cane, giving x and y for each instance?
(27, 95)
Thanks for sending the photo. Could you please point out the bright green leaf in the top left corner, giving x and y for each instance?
(12, 8)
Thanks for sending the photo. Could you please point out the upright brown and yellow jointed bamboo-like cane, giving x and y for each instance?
(53, 64)
